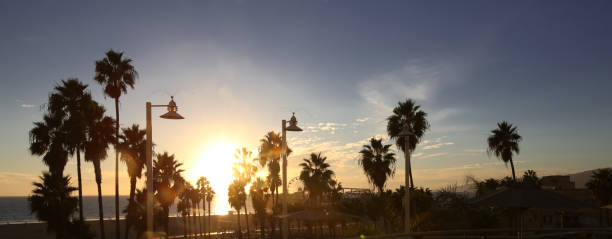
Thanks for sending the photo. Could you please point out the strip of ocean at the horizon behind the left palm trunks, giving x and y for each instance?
(17, 209)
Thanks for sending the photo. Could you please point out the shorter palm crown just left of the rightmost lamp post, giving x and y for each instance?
(378, 163)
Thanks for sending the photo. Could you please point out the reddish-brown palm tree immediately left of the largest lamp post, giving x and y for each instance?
(133, 150)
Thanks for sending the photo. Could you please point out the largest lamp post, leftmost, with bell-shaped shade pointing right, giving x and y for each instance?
(171, 114)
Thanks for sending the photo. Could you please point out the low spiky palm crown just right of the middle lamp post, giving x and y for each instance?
(316, 176)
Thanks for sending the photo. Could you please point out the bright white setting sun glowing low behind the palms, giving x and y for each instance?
(215, 163)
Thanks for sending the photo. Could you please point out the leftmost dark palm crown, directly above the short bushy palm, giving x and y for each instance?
(49, 139)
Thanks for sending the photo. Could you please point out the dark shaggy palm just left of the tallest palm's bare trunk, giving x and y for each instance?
(99, 137)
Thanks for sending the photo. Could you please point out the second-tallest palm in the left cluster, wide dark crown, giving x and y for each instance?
(70, 98)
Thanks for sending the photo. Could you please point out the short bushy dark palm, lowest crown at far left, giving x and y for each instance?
(51, 202)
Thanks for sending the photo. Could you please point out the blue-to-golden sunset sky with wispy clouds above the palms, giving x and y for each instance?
(237, 68)
